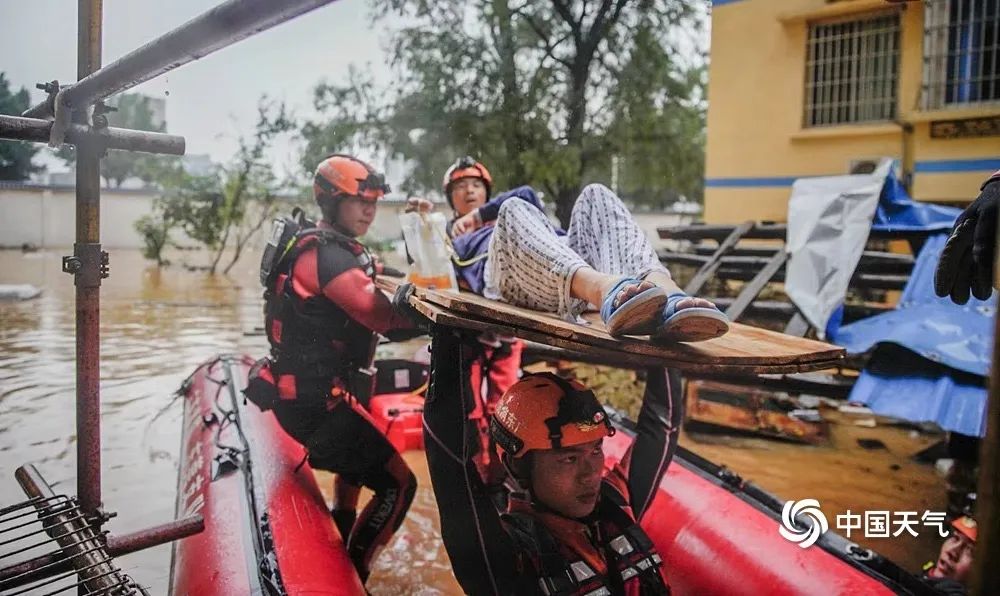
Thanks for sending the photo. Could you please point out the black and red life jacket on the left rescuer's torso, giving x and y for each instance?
(311, 337)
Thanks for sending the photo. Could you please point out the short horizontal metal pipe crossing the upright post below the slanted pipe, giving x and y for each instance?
(31, 129)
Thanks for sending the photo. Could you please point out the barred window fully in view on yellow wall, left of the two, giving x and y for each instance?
(852, 70)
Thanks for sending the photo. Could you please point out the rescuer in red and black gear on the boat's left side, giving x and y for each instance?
(322, 316)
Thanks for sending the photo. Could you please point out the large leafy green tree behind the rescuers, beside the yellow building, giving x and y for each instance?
(531, 88)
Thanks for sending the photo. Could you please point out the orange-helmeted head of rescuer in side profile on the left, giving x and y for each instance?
(347, 191)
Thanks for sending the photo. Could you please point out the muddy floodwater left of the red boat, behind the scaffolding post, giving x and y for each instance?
(156, 326)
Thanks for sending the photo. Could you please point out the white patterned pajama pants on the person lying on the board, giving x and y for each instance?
(529, 265)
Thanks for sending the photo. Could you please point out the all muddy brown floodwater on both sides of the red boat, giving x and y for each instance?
(158, 325)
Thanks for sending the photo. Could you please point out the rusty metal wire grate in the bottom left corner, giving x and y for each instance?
(48, 547)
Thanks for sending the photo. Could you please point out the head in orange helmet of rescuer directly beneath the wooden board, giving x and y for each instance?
(552, 432)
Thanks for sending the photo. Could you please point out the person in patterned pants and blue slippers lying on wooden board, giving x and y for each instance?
(507, 249)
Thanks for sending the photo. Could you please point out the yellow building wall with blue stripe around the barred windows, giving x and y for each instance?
(756, 143)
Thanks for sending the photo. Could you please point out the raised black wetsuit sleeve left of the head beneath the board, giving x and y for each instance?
(482, 554)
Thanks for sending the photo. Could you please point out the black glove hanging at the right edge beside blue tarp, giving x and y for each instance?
(967, 259)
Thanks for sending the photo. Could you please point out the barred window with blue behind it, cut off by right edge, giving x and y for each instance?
(961, 52)
